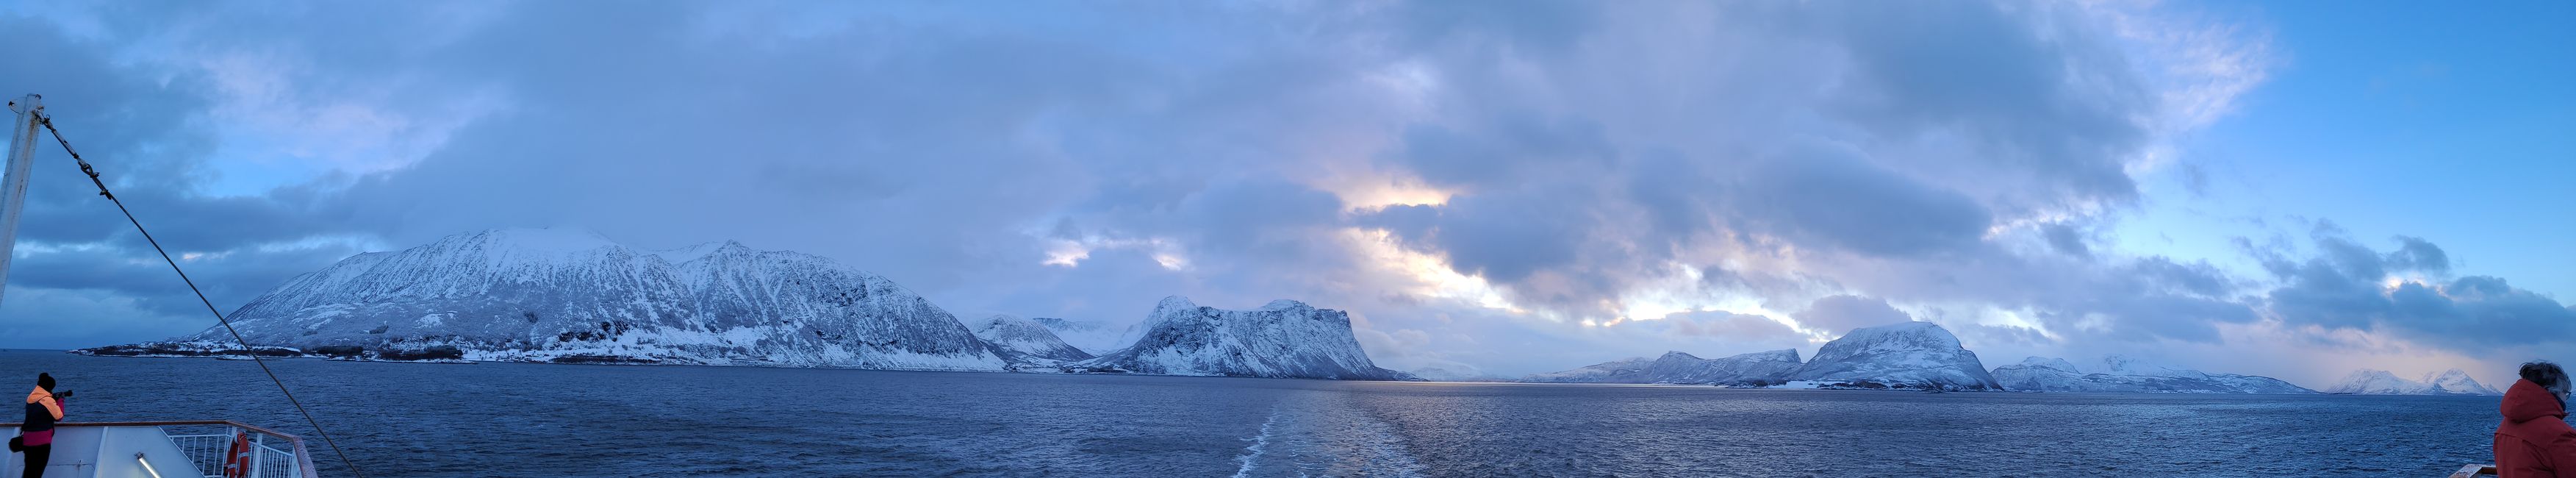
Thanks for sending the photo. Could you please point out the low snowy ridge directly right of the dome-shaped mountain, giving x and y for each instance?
(2129, 376)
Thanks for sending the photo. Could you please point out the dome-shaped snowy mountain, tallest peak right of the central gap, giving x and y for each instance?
(1900, 353)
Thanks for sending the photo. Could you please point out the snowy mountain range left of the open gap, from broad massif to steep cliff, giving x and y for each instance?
(576, 298)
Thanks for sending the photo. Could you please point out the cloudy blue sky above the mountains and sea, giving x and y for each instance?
(2286, 190)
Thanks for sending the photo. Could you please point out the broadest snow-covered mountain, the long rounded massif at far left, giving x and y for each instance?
(563, 296)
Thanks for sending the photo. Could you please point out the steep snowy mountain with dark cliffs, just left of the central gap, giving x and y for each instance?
(1282, 340)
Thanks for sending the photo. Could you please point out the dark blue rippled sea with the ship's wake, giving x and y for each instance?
(596, 420)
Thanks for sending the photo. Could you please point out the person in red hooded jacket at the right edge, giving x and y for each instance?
(2536, 438)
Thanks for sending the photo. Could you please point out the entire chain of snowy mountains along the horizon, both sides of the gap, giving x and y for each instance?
(576, 298)
